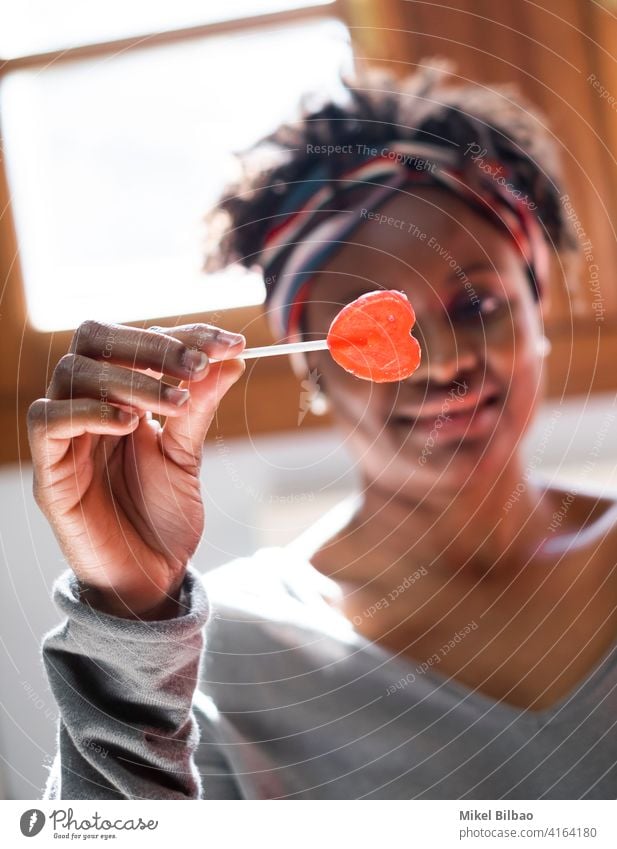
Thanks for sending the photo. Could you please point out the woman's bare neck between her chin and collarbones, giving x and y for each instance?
(487, 532)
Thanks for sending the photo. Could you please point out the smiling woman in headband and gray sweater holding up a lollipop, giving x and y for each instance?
(433, 637)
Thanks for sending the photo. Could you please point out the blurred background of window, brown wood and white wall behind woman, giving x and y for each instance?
(117, 121)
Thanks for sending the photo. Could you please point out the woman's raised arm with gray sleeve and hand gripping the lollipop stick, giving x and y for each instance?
(122, 494)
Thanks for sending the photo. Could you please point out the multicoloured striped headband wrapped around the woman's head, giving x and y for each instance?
(318, 215)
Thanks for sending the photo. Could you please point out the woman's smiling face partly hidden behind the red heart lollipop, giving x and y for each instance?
(479, 328)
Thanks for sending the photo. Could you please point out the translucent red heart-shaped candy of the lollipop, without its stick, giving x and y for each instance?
(370, 337)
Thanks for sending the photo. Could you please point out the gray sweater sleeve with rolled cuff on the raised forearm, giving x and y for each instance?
(124, 689)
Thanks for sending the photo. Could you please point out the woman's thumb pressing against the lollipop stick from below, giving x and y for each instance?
(183, 435)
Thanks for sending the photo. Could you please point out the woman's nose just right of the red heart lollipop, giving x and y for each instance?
(444, 354)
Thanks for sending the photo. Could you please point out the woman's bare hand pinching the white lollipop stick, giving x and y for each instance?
(122, 493)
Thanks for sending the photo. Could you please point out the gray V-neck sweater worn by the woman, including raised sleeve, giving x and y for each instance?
(289, 701)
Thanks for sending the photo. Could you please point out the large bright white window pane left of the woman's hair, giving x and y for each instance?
(112, 163)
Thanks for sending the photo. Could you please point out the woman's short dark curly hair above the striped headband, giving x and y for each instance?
(375, 109)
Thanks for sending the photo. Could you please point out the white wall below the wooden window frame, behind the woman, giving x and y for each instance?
(257, 493)
